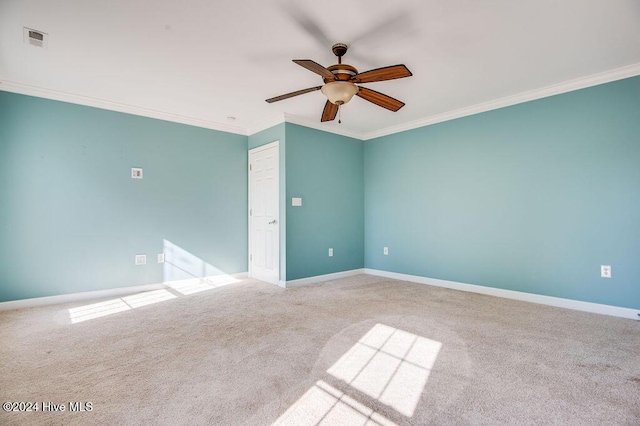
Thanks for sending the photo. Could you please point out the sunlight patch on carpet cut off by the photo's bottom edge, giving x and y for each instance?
(324, 404)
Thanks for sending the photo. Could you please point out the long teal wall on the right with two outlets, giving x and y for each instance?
(533, 198)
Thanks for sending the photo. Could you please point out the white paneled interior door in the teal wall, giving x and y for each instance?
(264, 226)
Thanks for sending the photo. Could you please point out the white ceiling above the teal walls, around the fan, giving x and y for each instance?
(201, 61)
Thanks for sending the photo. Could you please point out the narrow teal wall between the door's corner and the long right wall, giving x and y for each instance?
(327, 171)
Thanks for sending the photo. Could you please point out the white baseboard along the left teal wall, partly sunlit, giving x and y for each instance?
(99, 294)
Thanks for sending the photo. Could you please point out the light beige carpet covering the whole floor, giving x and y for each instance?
(362, 350)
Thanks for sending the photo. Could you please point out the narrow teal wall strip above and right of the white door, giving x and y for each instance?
(273, 134)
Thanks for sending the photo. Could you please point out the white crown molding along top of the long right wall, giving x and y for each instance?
(531, 95)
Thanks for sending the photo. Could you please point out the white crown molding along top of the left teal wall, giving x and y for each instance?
(24, 89)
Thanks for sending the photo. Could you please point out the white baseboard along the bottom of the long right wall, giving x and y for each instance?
(577, 305)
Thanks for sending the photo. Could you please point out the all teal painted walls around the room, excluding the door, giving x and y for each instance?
(533, 197)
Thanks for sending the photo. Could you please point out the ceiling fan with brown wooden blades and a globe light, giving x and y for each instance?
(340, 83)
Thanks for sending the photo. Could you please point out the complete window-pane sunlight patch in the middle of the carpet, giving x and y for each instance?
(389, 365)
